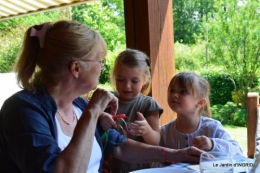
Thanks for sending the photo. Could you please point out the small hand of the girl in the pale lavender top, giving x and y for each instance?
(202, 142)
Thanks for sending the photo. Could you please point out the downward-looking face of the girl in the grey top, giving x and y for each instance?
(129, 82)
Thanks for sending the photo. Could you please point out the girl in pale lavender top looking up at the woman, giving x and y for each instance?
(188, 96)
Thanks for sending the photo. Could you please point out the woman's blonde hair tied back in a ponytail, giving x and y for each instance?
(65, 41)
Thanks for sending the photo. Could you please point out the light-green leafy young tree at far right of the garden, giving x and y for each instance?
(234, 39)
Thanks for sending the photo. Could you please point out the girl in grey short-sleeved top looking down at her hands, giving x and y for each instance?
(131, 79)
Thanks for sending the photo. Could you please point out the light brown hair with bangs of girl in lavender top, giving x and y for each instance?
(197, 85)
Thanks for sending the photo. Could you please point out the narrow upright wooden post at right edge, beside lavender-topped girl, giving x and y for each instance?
(252, 106)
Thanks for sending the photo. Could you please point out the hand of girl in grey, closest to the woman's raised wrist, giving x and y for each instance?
(106, 121)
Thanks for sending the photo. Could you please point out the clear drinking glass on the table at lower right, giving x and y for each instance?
(216, 162)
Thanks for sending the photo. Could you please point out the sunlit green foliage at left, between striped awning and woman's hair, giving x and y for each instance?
(12, 32)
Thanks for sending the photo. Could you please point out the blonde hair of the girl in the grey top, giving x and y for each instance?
(133, 58)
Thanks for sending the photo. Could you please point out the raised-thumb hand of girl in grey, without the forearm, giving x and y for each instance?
(139, 127)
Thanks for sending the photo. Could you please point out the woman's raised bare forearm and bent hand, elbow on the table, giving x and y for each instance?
(76, 156)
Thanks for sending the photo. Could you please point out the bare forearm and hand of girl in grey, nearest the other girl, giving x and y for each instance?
(147, 128)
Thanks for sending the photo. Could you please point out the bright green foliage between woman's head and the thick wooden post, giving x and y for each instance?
(107, 18)
